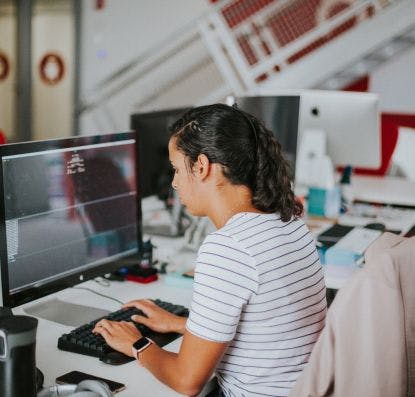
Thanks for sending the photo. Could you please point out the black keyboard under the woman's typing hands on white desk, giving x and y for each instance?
(81, 340)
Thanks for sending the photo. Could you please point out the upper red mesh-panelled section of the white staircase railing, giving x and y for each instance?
(270, 36)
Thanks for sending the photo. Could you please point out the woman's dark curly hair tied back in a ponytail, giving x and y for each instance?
(248, 152)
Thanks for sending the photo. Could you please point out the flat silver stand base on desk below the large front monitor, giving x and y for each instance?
(64, 312)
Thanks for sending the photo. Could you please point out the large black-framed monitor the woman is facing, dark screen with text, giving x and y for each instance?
(70, 211)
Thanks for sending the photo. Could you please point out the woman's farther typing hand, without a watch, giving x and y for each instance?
(157, 319)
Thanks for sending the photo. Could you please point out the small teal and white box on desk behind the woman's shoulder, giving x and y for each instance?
(323, 202)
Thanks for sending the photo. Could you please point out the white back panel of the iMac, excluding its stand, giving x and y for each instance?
(350, 121)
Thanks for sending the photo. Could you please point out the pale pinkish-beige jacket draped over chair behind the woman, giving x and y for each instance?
(367, 347)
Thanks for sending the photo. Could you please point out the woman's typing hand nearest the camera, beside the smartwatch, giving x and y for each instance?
(120, 335)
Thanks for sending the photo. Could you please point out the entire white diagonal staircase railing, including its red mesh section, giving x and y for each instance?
(249, 41)
